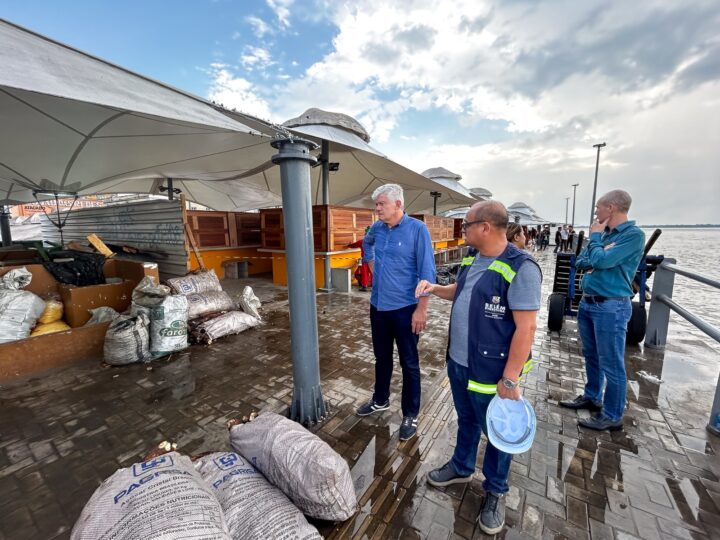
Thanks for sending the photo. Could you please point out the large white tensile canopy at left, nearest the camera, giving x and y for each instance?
(72, 123)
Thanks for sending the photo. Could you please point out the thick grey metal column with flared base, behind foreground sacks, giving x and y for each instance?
(294, 158)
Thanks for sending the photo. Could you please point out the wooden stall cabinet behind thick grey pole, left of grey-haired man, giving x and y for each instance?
(334, 227)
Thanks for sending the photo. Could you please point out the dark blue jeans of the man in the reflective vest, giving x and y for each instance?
(471, 409)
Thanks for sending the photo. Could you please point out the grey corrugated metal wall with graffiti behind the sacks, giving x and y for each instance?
(153, 226)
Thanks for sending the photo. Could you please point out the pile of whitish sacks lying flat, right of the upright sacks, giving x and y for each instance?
(212, 313)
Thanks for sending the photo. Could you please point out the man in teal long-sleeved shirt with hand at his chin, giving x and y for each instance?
(610, 261)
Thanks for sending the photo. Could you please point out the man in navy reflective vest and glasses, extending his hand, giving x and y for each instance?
(492, 325)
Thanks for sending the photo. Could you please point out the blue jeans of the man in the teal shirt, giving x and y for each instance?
(602, 331)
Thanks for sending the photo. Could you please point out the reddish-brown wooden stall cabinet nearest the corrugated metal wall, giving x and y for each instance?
(224, 229)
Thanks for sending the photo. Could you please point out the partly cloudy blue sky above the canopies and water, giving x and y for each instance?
(510, 94)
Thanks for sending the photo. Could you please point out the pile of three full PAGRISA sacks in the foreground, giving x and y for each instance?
(285, 472)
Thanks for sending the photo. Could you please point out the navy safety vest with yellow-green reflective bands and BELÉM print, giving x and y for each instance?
(491, 325)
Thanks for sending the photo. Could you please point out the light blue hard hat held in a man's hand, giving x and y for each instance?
(511, 424)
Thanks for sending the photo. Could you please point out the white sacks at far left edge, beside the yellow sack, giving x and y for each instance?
(19, 310)
